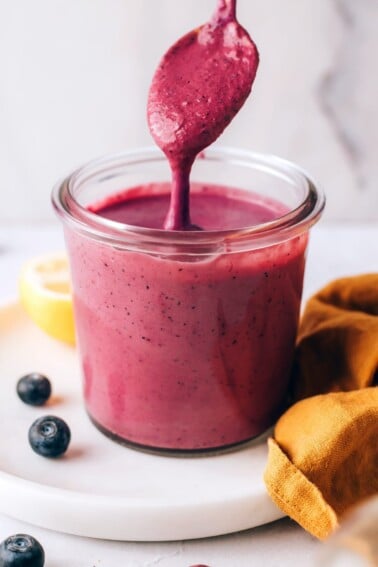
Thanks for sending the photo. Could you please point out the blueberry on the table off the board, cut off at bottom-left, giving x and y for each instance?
(21, 550)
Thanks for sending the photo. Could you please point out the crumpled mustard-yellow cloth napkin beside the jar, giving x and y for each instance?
(324, 456)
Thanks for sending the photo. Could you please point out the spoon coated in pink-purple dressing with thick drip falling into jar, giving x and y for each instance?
(199, 86)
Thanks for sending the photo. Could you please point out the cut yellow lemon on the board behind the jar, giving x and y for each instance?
(44, 288)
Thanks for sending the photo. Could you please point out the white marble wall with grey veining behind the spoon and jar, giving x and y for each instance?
(74, 76)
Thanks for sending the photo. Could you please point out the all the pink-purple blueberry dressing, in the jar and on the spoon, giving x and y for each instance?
(188, 352)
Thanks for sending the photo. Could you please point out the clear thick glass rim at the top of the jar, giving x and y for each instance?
(288, 225)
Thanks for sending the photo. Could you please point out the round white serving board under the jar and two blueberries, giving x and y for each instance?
(102, 489)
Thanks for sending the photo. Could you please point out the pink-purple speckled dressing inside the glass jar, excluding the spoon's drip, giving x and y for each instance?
(185, 353)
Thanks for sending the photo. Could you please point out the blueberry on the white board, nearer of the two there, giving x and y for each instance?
(49, 436)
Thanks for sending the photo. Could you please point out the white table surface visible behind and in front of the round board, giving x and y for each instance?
(335, 250)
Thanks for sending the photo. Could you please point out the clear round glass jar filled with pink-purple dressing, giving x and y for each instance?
(186, 338)
